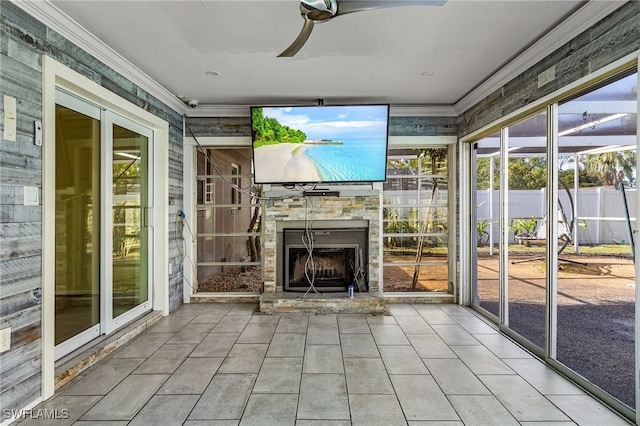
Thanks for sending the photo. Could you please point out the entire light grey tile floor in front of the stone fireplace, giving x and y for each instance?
(222, 364)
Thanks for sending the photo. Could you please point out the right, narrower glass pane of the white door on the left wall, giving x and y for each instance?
(130, 202)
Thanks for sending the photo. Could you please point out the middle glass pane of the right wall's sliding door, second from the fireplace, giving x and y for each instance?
(527, 163)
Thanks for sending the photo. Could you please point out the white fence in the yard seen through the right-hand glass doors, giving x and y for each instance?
(599, 211)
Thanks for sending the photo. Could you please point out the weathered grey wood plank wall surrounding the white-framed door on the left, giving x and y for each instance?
(23, 41)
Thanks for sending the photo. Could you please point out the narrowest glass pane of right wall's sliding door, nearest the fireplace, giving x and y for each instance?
(486, 196)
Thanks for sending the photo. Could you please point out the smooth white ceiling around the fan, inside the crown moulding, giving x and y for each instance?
(375, 56)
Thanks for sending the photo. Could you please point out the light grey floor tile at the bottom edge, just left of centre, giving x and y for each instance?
(270, 409)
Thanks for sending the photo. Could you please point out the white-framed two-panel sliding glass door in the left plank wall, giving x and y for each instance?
(102, 204)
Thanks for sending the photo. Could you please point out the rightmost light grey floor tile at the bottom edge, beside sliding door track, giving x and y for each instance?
(586, 411)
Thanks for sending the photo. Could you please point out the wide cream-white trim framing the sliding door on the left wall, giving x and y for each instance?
(56, 75)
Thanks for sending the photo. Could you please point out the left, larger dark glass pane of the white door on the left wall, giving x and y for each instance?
(77, 285)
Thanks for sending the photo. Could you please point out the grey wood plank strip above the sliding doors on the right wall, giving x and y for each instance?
(609, 40)
